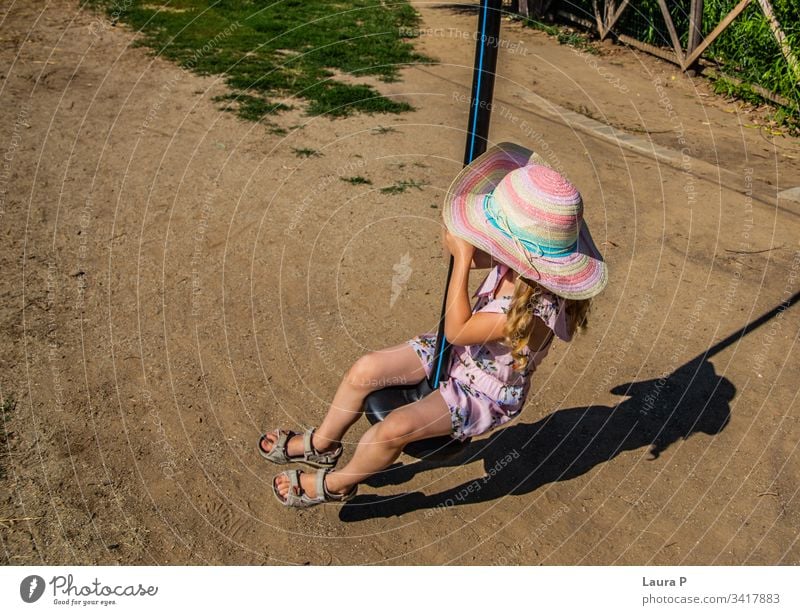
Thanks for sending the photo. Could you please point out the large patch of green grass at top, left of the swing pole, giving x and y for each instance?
(268, 51)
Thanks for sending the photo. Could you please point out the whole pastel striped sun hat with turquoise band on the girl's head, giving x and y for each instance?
(512, 205)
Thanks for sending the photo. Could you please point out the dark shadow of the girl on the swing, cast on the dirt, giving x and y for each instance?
(568, 443)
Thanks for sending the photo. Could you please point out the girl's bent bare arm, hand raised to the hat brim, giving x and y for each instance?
(461, 326)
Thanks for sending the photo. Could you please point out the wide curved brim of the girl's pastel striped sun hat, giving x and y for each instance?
(579, 275)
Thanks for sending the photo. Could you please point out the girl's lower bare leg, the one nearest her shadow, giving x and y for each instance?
(380, 446)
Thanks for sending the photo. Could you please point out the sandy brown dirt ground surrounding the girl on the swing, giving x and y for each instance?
(175, 281)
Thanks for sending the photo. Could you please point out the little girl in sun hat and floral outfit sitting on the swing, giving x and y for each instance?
(506, 210)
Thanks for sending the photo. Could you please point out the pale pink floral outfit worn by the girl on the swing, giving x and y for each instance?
(482, 390)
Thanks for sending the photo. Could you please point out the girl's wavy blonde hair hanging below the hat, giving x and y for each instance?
(519, 326)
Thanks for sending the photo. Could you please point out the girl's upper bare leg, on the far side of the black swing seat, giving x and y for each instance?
(375, 370)
